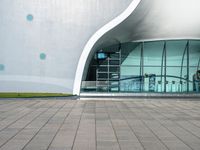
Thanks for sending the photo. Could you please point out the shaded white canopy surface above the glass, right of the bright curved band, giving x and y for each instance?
(151, 21)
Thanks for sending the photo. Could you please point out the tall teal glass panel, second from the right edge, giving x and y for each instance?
(176, 51)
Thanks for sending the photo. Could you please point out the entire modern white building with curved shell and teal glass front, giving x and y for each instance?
(100, 46)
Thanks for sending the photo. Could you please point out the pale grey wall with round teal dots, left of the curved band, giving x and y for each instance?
(59, 29)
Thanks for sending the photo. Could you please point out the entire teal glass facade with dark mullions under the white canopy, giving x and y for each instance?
(158, 66)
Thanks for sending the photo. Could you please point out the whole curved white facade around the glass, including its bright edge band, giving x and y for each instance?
(47, 45)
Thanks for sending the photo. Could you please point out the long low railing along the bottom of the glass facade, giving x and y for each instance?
(139, 86)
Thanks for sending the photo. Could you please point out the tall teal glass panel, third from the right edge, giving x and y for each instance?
(152, 66)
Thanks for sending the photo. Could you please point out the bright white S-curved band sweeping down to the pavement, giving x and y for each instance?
(88, 47)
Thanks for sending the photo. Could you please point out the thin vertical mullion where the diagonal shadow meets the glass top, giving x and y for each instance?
(142, 67)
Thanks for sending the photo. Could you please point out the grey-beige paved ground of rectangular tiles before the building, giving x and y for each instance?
(102, 125)
